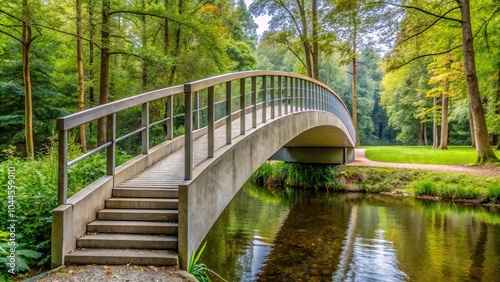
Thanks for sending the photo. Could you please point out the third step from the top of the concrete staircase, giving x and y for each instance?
(137, 214)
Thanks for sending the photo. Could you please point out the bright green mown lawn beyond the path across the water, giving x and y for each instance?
(455, 155)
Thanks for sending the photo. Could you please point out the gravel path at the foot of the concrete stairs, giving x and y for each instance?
(116, 273)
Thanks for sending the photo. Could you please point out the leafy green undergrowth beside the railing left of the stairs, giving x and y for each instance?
(36, 195)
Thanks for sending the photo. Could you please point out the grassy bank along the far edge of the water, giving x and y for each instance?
(437, 185)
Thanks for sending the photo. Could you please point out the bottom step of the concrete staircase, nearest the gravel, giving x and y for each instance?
(114, 256)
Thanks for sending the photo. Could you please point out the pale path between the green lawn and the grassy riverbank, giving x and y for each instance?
(361, 160)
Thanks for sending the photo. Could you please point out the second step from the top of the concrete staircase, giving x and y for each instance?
(141, 203)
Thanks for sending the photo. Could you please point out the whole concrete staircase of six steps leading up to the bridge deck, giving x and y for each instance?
(138, 226)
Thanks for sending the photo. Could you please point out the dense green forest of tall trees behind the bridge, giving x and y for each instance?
(402, 67)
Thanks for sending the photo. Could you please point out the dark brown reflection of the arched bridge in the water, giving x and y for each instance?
(309, 243)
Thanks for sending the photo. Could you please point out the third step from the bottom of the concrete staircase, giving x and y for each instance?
(138, 227)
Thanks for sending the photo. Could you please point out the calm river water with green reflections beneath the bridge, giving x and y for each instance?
(352, 237)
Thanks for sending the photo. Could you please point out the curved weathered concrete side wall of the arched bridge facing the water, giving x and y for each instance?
(217, 180)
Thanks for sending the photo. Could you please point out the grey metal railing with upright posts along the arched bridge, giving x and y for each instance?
(284, 93)
